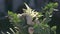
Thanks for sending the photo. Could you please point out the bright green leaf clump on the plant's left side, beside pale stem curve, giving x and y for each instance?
(13, 17)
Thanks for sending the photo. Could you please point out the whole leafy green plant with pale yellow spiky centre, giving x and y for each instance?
(32, 18)
